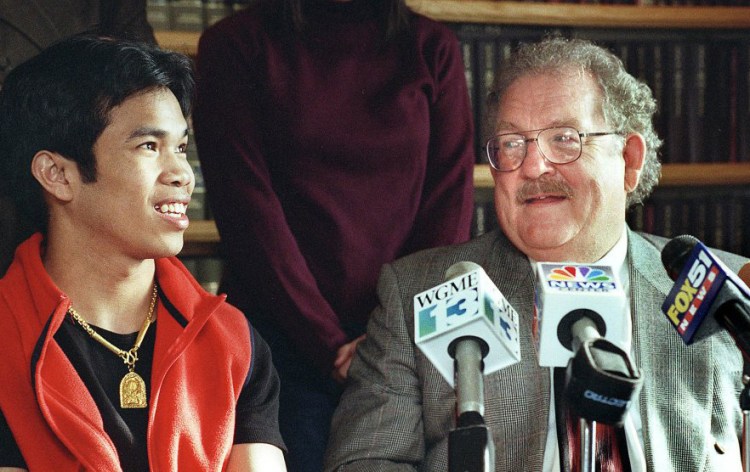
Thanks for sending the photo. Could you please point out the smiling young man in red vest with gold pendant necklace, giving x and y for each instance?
(115, 359)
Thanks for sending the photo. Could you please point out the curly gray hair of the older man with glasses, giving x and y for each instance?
(627, 103)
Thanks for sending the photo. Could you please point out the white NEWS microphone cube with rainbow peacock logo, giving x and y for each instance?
(566, 293)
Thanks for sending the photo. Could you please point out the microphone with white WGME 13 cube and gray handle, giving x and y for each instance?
(466, 328)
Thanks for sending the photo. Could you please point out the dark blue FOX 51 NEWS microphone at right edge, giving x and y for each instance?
(707, 296)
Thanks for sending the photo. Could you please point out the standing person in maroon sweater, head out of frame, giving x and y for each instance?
(334, 136)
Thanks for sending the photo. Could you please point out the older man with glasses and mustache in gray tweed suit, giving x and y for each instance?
(575, 146)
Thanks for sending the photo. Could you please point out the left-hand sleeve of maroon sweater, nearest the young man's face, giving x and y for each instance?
(263, 255)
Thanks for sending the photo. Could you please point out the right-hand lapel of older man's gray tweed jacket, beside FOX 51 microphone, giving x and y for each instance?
(675, 403)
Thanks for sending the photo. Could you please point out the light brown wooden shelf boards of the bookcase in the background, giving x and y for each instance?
(202, 238)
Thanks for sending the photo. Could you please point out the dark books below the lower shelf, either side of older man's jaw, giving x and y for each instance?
(718, 216)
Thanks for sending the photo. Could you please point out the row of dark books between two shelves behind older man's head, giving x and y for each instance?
(700, 80)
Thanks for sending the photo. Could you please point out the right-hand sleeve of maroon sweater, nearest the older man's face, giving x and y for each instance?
(447, 201)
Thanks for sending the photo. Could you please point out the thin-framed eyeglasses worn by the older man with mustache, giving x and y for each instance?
(559, 145)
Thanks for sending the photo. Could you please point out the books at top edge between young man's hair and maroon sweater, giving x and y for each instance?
(190, 15)
